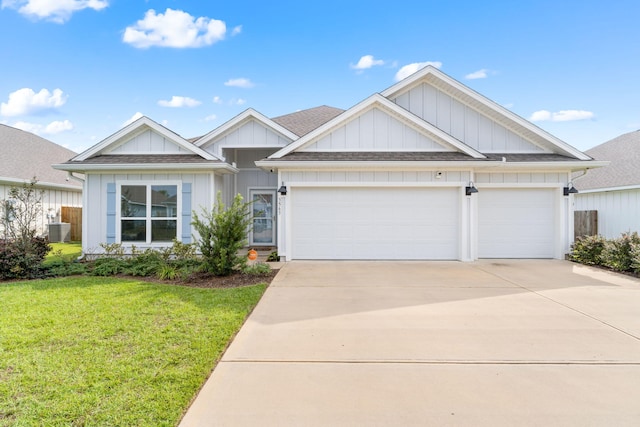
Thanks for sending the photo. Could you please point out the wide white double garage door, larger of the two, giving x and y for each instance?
(375, 223)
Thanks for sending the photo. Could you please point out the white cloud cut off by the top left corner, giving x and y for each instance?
(58, 11)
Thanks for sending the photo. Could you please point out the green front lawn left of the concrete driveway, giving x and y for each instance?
(105, 351)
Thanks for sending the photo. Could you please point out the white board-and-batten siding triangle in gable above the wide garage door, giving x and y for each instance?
(375, 130)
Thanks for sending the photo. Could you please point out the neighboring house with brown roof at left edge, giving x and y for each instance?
(25, 156)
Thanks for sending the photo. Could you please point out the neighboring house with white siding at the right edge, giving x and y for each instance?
(613, 191)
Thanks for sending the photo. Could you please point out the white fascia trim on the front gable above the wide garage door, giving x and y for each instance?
(363, 106)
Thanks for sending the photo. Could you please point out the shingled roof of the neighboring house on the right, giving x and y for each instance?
(624, 170)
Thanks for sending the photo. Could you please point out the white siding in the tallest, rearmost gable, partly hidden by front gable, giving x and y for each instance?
(462, 121)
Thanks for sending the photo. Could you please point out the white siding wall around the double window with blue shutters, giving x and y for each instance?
(96, 185)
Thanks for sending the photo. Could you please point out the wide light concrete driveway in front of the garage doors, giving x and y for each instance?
(489, 343)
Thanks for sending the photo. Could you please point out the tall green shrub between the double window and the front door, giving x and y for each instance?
(223, 233)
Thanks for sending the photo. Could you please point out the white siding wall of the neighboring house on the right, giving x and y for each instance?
(618, 211)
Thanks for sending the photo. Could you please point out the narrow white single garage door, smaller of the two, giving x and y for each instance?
(517, 223)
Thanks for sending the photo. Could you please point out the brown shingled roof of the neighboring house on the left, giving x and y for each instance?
(25, 155)
